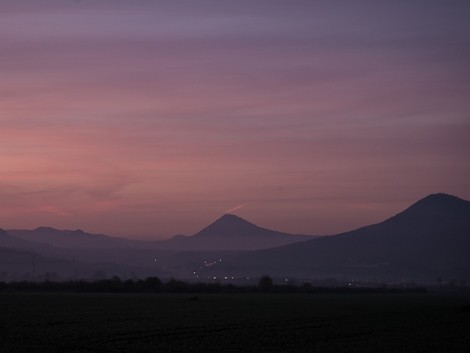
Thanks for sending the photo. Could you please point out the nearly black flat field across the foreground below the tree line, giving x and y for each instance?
(234, 323)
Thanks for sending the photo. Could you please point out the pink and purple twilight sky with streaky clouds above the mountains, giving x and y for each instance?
(146, 119)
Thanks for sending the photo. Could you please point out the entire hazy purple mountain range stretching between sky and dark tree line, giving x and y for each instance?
(428, 240)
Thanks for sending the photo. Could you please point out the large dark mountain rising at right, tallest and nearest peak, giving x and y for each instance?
(428, 240)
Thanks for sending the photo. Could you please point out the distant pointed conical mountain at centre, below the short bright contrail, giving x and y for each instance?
(231, 232)
